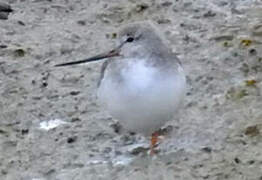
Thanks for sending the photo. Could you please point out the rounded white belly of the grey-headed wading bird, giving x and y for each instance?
(145, 99)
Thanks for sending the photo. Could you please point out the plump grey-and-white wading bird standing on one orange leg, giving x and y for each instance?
(142, 82)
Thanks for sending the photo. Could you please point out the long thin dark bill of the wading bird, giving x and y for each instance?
(112, 53)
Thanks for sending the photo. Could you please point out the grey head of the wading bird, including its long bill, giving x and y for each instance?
(134, 40)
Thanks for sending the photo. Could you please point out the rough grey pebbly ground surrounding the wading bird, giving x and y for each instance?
(51, 127)
